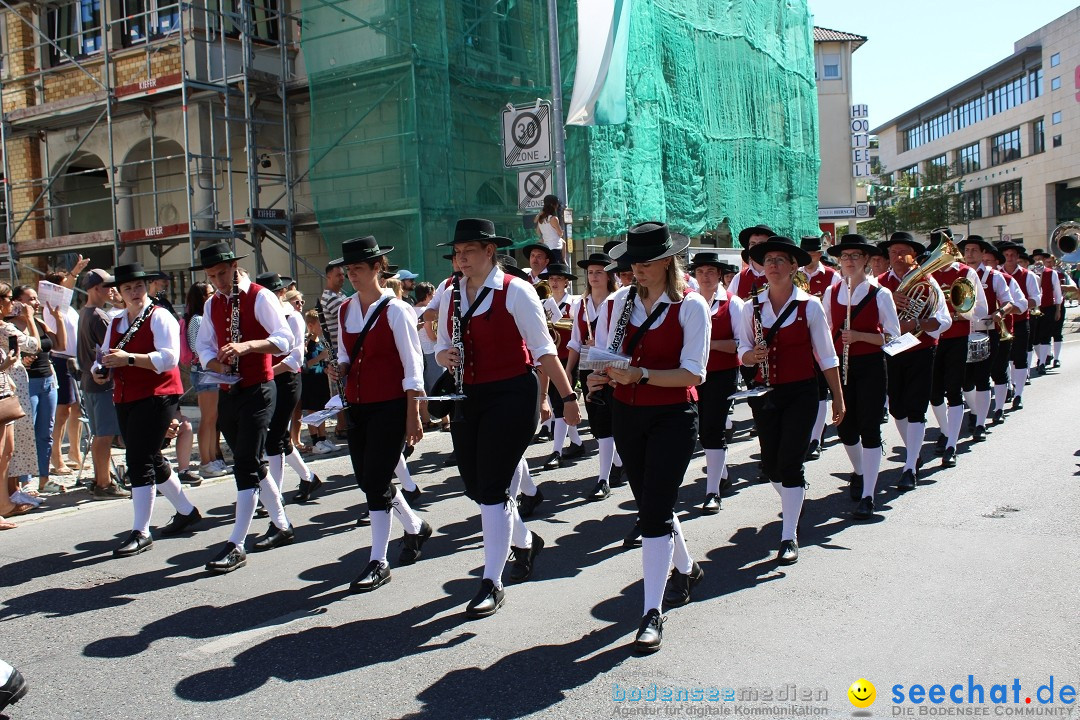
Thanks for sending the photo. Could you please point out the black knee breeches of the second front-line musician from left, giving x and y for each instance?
(244, 417)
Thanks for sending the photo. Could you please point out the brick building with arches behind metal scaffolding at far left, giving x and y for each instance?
(129, 131)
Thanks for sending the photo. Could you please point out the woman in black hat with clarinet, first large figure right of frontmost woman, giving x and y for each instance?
(784, 332)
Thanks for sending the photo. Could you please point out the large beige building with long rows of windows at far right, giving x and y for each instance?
(1014, 134)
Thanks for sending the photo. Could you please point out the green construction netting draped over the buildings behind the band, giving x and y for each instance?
(407, 98)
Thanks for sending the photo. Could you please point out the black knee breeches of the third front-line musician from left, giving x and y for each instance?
(376, 432)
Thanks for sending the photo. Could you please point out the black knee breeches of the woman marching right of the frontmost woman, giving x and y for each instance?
(785, 418)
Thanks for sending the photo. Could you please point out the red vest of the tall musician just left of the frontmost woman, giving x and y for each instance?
(495, 350)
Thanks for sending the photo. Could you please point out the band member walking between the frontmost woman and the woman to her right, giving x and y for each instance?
(714, 403)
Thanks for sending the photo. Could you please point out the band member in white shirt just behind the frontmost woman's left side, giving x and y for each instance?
(586, 314)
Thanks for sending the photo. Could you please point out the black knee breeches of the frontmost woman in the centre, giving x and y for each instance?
(656, 443)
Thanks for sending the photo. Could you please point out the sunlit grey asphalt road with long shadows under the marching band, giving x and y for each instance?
(974, 574)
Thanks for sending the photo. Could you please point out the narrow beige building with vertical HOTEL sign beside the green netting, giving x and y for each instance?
(843, 165)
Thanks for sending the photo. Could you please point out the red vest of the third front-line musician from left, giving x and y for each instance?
(376, 374)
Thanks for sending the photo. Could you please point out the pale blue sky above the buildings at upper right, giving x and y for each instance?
(917, 49)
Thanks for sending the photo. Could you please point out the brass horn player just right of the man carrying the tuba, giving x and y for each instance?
(951, 360)
